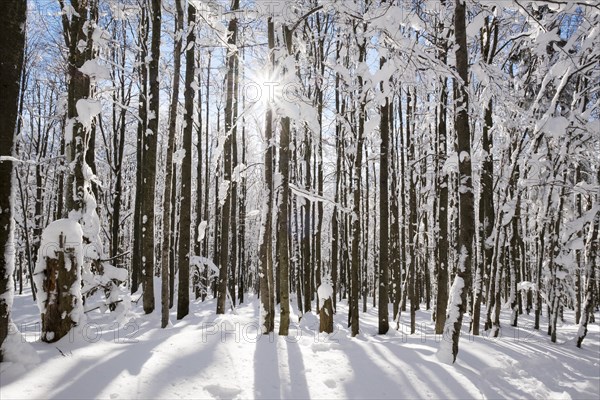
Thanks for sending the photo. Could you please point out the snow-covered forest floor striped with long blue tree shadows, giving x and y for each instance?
(205, 356)
